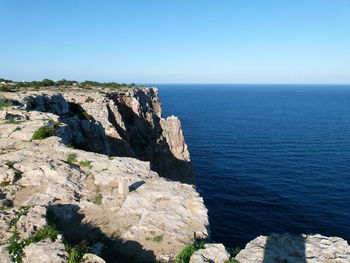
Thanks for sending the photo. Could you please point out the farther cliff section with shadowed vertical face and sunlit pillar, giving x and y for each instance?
(125, 124)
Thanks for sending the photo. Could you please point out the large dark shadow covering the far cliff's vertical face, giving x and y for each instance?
(142, 137)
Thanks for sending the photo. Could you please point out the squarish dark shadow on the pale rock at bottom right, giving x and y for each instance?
(284, 249)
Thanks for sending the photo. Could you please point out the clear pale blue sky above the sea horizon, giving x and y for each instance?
(176, 41)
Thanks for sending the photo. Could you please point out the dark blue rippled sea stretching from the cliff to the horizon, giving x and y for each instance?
(268, 158)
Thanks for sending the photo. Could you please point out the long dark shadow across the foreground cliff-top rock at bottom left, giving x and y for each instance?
(70, 221)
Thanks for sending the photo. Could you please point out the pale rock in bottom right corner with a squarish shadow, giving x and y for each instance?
(278, 248)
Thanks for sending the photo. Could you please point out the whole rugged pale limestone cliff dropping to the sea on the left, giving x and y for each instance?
(106, 170)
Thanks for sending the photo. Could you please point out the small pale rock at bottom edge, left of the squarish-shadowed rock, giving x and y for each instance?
(212, 253)
